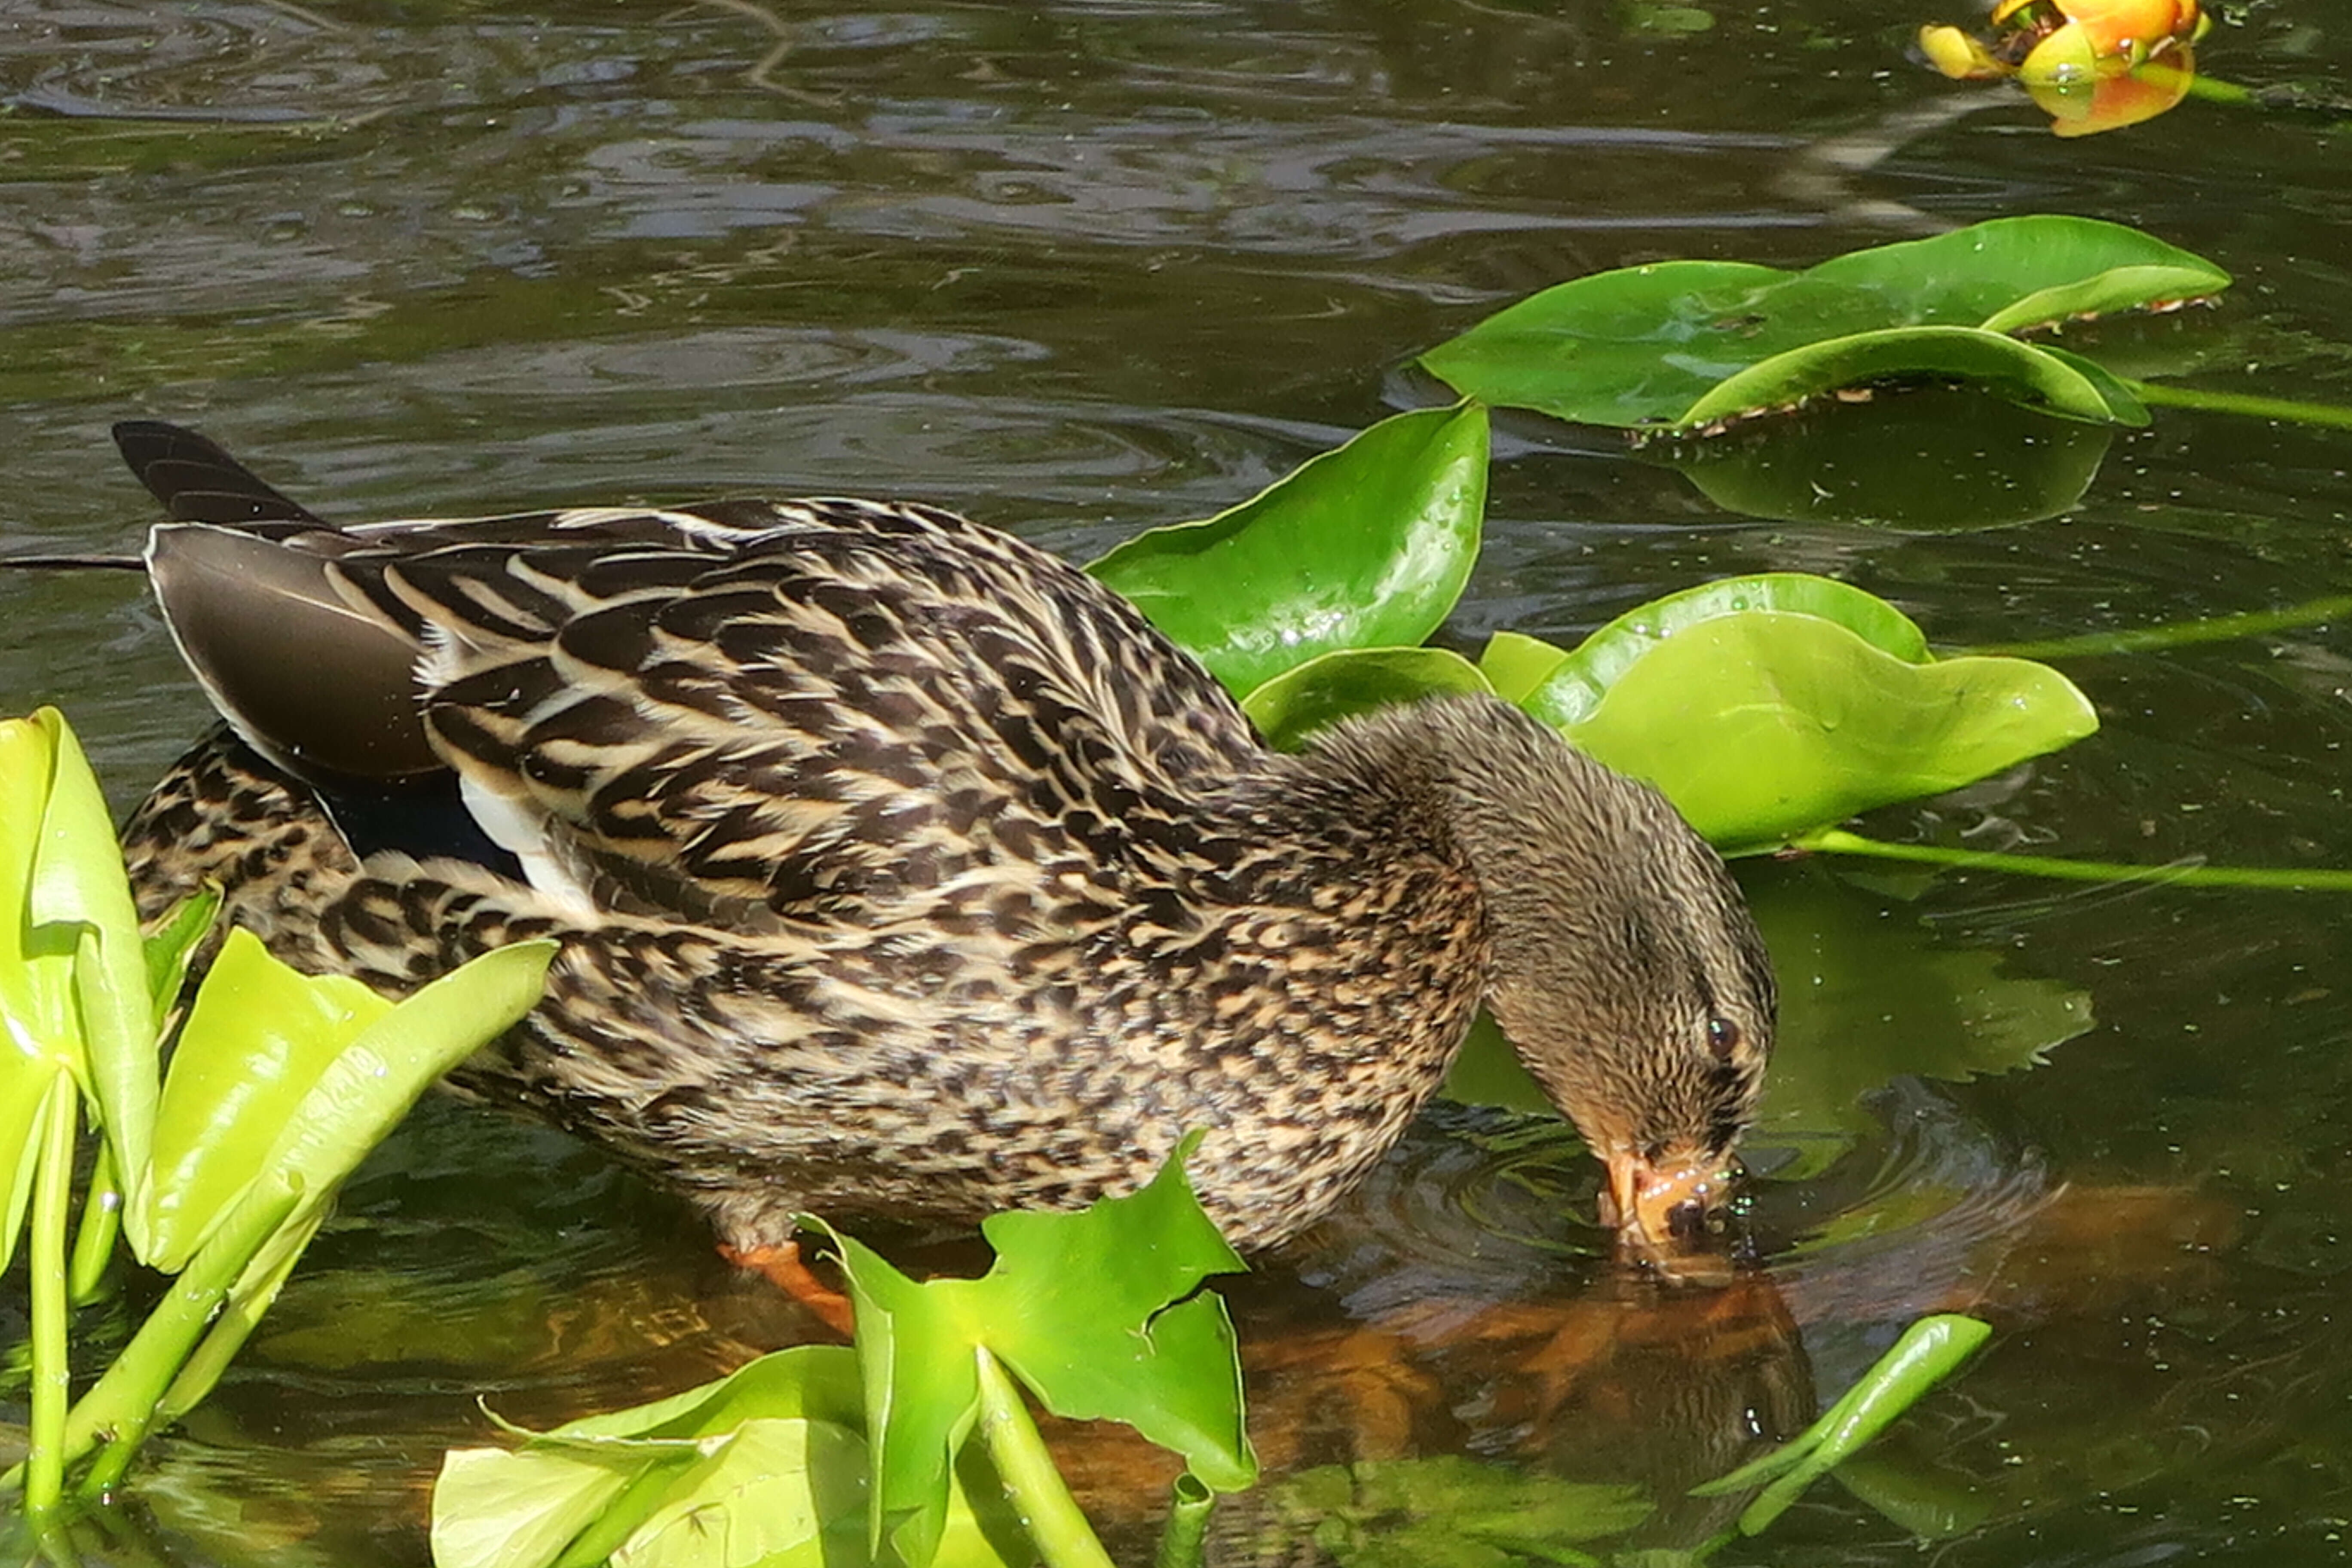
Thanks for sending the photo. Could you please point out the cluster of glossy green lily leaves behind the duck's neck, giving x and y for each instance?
(1314, 598)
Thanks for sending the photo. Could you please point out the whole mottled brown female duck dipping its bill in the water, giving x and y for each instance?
(902, 869)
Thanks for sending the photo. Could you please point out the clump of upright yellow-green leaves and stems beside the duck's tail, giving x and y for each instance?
(215, 1174)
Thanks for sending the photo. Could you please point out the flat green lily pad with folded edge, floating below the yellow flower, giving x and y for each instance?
(1695, 344)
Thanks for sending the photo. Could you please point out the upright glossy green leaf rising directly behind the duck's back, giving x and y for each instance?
(1358, 549)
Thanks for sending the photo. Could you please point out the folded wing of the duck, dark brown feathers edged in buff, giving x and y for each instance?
(754, 713)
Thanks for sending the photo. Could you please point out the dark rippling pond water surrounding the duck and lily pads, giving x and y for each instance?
(1093, 267)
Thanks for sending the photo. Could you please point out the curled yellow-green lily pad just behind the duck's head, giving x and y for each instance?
(1779, 704)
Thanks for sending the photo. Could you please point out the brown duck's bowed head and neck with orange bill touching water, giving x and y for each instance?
(1624, 963)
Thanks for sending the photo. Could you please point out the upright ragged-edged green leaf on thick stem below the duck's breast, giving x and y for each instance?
(1125, 1343)
